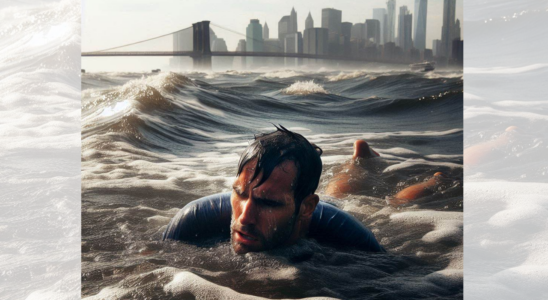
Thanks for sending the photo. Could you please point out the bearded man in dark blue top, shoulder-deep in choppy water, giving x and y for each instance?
(273, 202)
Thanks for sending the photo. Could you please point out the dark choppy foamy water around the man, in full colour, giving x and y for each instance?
(153, 142)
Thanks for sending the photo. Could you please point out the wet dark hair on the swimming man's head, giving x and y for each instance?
(271, 149)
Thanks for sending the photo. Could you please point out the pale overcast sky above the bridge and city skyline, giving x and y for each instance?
(108, 23)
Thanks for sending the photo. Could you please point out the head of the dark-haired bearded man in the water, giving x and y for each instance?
(273, 195)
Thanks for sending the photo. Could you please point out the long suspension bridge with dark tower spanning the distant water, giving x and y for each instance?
(201, 53)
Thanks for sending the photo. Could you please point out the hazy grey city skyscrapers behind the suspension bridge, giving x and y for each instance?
(375, 39)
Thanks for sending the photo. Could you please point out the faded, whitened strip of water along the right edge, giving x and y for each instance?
(506, 205)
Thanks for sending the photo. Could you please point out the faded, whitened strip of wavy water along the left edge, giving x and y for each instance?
(39, 150)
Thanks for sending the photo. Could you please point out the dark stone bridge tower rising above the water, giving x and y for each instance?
(201, 47)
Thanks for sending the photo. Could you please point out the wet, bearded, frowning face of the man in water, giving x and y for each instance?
(263, 217)
